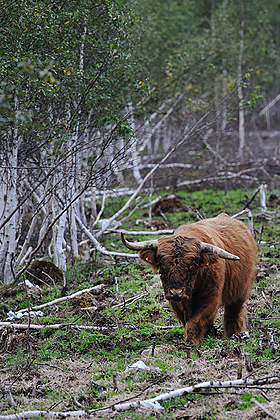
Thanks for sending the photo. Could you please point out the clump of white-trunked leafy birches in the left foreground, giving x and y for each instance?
(58, 91)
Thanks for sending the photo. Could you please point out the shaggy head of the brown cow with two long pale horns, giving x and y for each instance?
(178, 260)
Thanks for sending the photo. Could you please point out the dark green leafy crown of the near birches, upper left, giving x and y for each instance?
(67, 60)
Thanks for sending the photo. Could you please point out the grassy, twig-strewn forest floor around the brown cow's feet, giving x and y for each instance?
(85, 363)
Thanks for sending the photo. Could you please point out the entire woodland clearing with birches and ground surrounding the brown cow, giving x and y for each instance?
(133, 117)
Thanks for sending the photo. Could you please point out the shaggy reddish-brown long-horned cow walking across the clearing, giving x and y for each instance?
(203, 266)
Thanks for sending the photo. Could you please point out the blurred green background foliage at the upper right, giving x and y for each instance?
(194, 47)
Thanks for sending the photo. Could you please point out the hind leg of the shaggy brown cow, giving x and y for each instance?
(235, 318)
